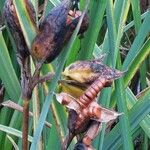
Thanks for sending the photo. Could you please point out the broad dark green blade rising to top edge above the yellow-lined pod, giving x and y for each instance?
(97, 14)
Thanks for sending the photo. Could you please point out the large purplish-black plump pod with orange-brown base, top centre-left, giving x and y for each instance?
(54, 32)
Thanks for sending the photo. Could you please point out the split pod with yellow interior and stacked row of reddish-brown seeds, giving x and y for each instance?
(87, 78)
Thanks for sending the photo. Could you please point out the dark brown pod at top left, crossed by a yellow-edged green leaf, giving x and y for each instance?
(14, 26)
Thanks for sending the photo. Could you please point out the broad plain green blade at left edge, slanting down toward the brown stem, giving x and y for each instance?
(7, 74)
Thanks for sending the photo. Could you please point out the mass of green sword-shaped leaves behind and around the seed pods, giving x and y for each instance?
(120, 29)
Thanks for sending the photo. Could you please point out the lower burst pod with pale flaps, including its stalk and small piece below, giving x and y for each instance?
(80, 119)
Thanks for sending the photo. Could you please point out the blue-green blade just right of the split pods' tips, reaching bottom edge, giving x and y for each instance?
(124, 119)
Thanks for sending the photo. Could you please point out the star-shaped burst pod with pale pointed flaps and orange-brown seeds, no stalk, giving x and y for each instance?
(92, 111)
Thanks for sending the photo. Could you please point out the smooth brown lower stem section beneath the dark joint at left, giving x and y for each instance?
(25, 124)
